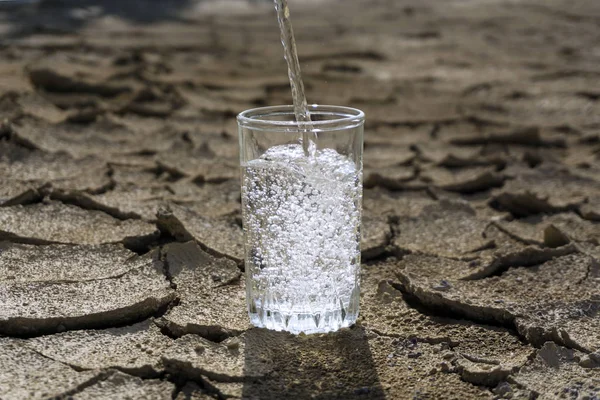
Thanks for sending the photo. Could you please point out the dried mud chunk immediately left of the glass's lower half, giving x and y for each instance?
(211, 291)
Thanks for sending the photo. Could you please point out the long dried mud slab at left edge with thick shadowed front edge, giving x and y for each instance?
(45, 307)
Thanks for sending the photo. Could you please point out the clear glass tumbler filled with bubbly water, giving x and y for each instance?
(301, 214)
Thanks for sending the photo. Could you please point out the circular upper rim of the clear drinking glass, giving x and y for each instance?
(347, 117)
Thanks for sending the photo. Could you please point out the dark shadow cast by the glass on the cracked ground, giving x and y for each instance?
(332, 366)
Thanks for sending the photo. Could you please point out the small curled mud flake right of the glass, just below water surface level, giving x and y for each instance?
(463, 180)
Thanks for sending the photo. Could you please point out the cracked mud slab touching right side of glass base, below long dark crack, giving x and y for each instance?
(484, 355)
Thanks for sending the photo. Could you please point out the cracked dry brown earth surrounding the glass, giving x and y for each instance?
(121, 273)
